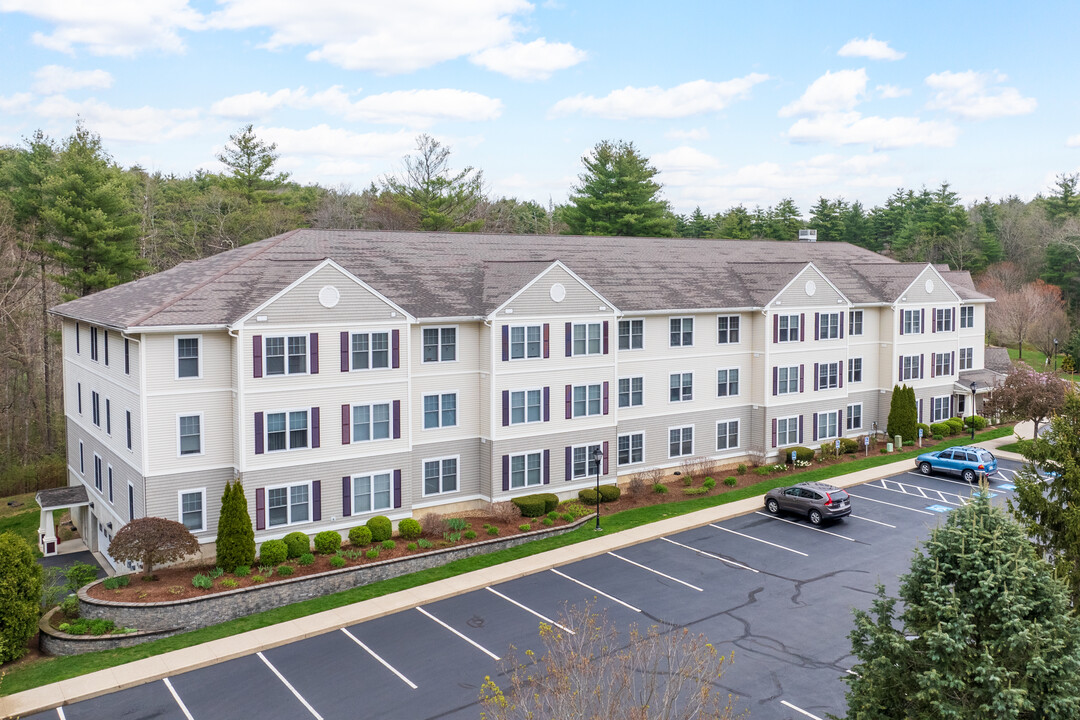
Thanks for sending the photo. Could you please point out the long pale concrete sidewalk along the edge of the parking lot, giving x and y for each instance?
(247, 644)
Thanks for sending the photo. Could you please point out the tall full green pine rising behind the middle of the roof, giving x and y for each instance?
(617, 196)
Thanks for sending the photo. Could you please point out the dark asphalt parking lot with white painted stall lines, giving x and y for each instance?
(775, 591)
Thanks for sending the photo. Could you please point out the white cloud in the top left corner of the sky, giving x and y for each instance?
(111, 28)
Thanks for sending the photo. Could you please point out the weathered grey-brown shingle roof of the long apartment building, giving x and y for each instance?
(464, 275)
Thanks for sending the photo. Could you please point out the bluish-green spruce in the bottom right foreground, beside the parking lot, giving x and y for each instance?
(985, 631)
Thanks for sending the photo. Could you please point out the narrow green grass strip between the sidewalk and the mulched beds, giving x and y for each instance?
(53, 670)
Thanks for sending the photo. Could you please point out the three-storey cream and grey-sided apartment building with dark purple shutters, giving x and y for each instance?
(345, 374)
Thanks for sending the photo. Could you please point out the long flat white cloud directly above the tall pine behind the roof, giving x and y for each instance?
(682, 101)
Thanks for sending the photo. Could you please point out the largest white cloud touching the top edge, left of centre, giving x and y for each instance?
(386, 38)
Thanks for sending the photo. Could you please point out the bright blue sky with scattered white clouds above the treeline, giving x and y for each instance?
(734, 103)
